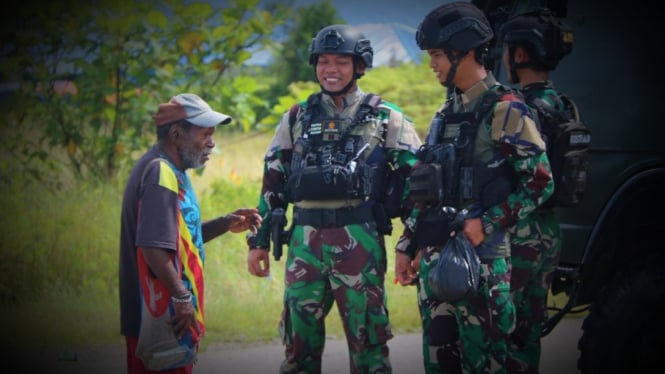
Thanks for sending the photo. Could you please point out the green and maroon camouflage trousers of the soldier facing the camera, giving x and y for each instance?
(347, 266)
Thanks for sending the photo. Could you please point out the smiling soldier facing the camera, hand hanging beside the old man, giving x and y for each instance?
(331, 157)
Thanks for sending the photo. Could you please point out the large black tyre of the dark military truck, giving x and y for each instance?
(625, 330)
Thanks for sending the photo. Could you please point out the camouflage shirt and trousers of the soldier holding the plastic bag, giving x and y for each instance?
(476, 339)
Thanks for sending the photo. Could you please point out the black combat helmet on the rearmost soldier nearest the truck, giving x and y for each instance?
(546, 38)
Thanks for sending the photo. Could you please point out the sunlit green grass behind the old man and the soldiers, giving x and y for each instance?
(58, 284)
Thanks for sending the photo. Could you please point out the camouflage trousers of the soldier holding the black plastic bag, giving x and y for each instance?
(470, 336)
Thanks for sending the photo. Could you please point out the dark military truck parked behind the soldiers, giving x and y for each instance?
(612, 264)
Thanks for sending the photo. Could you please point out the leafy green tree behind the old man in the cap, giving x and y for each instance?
(86, 77)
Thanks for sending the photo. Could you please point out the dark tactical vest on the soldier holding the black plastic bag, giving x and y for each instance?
(449, 176)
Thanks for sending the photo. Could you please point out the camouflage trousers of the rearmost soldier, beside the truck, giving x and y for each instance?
(536, 248)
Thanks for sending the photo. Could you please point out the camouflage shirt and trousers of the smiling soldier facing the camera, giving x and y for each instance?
(342, 265)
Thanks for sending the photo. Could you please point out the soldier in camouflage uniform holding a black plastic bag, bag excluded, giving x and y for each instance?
(499, 173)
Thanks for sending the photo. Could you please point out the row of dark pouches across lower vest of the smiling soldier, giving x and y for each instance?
(337, 182)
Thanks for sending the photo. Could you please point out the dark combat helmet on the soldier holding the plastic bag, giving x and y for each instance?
(460, 26)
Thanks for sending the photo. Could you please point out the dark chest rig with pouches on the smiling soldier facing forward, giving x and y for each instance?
(328, 160)
